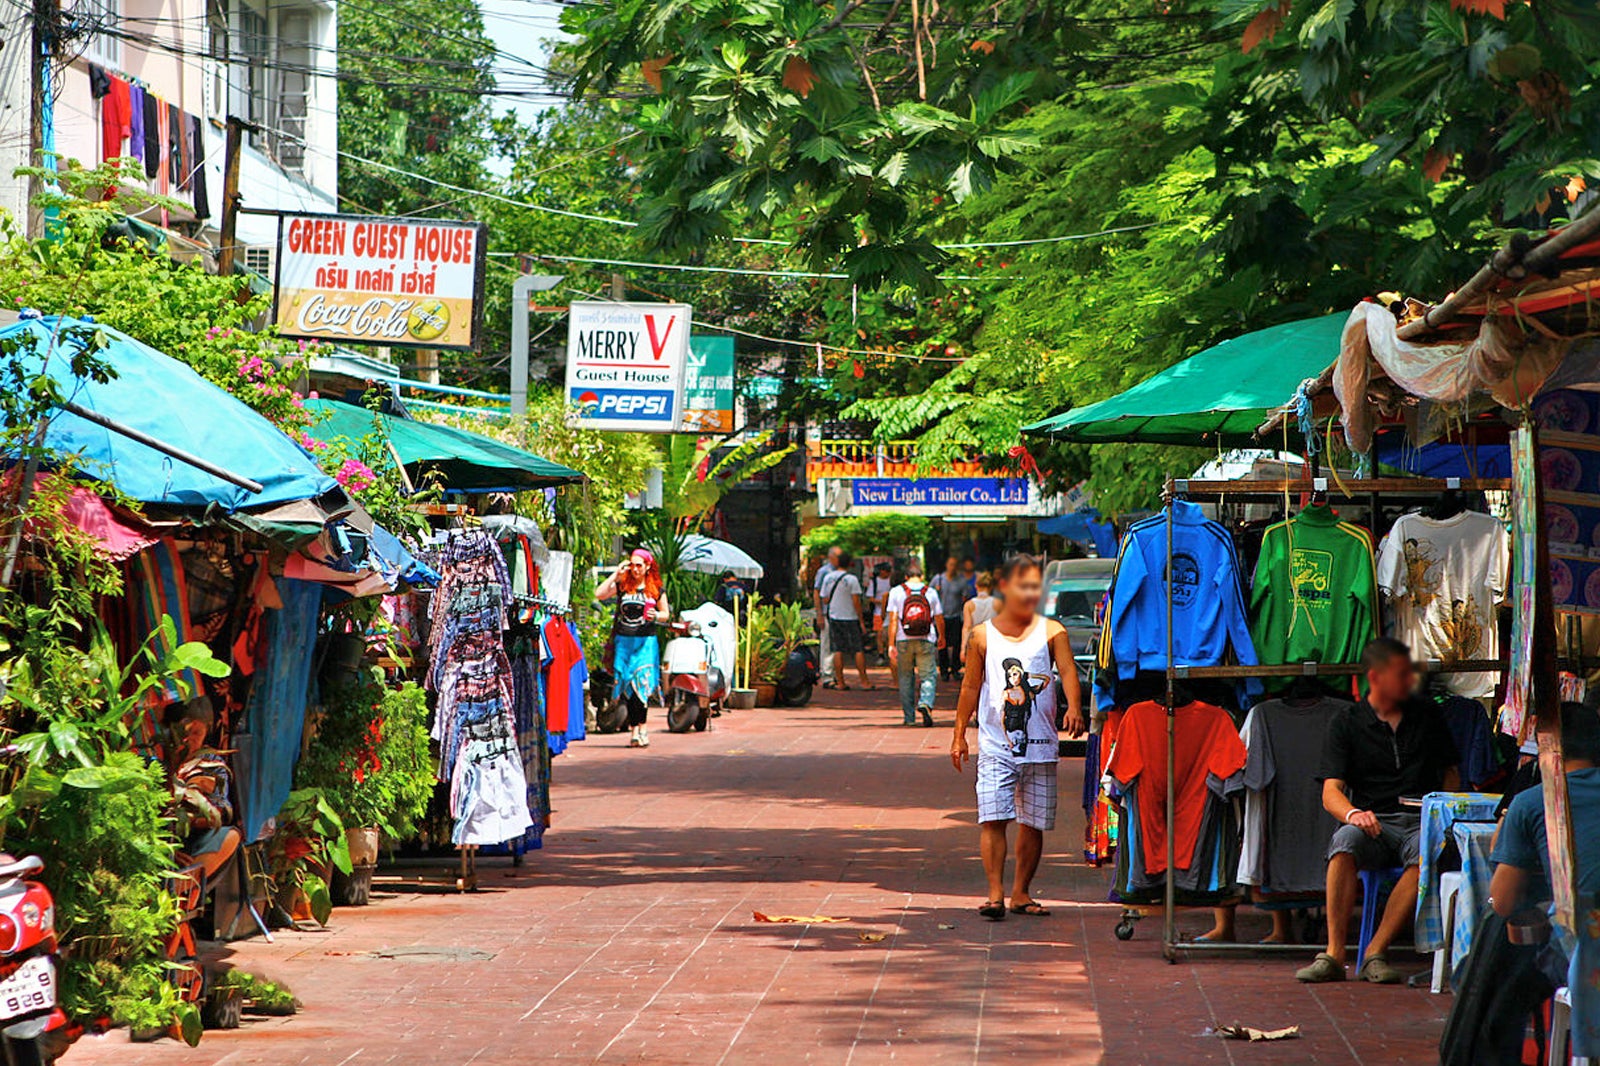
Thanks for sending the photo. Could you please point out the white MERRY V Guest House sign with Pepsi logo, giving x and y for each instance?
(626, 364)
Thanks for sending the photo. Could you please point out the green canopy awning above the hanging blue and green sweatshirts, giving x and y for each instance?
(1222, 395)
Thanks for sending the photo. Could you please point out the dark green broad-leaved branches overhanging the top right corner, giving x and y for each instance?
(1495, 102)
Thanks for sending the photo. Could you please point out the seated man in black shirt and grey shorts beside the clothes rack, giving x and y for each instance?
(1380, 750)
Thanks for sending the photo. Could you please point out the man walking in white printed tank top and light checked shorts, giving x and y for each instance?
(1014, 663)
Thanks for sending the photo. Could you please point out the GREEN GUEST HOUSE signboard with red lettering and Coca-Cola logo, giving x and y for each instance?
(356, 279)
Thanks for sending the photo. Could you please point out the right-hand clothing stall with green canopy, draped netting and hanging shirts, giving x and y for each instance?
(1498, 380)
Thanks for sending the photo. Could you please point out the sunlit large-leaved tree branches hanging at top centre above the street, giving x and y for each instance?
(850, 129)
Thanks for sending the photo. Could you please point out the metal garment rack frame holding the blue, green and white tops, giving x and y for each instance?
(1276, 491)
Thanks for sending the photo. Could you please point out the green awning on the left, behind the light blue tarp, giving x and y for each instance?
(466, 462)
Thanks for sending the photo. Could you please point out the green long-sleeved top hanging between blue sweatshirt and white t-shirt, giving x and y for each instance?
(1316, 591)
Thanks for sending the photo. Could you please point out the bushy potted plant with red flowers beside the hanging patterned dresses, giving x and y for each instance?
(369, 759)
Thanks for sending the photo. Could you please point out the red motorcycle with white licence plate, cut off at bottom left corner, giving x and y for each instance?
(33, 1028)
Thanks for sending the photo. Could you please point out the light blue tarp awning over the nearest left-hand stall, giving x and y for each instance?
(169, 401)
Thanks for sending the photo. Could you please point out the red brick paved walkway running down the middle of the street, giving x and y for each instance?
(631, 937)
